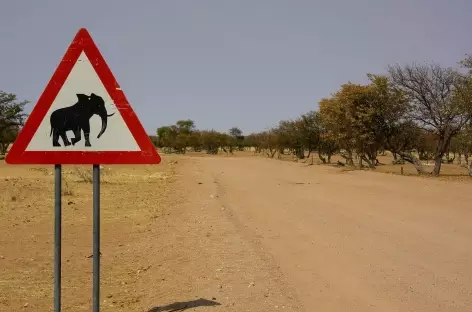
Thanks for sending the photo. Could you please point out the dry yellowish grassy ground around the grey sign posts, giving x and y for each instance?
(131, 197)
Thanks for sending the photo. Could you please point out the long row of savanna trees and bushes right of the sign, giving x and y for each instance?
(419, 114)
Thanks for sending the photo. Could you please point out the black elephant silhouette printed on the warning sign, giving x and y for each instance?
(76, 118)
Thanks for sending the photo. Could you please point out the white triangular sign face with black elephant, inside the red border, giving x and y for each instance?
(78, 114)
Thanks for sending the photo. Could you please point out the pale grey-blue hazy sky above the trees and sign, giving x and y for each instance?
(245, 63)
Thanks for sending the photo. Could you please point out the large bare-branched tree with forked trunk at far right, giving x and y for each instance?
(439, 101)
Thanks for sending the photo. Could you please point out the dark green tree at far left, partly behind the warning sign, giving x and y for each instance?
(12, 118)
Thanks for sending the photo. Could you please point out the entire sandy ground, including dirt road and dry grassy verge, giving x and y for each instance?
(243, 232)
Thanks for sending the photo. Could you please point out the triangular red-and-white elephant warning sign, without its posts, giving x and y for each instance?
(83, 117)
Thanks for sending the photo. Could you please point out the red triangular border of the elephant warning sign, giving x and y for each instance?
(82, 42)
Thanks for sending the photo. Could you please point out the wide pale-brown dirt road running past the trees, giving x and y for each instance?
(279, 235)
